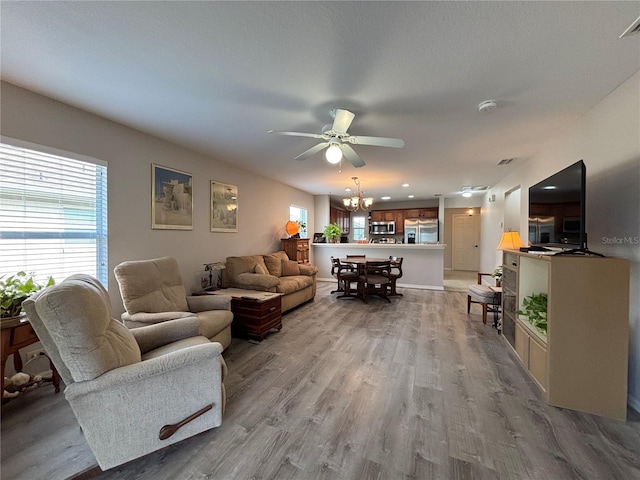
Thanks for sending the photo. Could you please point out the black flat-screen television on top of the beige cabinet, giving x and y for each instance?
(557, 209)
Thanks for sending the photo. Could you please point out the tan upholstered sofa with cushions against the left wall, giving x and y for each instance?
(272, 272)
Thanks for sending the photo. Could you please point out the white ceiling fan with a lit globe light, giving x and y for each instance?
(338, 142)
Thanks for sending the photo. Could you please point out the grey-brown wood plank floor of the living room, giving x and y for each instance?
(412, 390)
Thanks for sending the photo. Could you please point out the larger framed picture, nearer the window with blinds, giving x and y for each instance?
(171, 199)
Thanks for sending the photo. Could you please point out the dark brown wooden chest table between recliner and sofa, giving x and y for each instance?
(255, 313)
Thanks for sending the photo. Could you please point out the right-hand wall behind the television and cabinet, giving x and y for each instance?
(607, 138)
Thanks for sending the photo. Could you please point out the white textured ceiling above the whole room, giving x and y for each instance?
(216, 76)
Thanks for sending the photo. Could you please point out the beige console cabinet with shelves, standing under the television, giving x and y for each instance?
(581, 363)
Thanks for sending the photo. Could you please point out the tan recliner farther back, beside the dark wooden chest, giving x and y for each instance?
(152, 291)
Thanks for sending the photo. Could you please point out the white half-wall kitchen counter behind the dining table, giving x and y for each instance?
(422, 266)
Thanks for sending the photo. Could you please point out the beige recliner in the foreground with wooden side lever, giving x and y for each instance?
(121, 383)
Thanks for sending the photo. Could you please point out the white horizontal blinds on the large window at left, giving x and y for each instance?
(53, 215)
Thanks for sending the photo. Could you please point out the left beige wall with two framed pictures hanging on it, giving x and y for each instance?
(33, 118)
